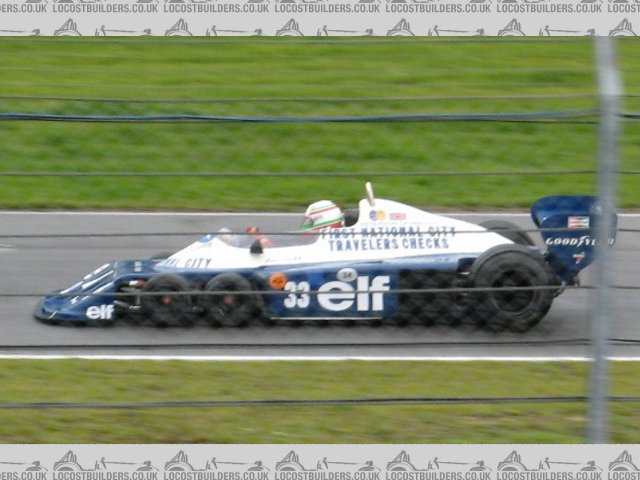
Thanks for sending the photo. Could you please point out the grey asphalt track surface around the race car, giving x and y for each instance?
(33, 265)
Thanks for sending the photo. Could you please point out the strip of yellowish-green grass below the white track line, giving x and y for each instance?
(113, 382)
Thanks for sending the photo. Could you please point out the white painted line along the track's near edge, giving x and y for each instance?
(227, 358)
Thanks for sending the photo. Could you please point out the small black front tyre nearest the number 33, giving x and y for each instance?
(227, 308)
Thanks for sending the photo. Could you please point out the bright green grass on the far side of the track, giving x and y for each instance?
(242, 71)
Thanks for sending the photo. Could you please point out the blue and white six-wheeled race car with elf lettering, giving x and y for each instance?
(387, 262)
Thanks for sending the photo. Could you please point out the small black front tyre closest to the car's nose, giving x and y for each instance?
(167, 309)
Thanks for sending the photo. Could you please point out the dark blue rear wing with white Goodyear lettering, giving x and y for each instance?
(568, 228)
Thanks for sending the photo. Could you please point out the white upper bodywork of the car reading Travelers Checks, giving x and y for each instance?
(389, 231)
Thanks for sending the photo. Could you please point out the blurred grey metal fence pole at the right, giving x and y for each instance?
(609, 89)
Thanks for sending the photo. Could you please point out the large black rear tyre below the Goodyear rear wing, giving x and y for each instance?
(510, 266)
